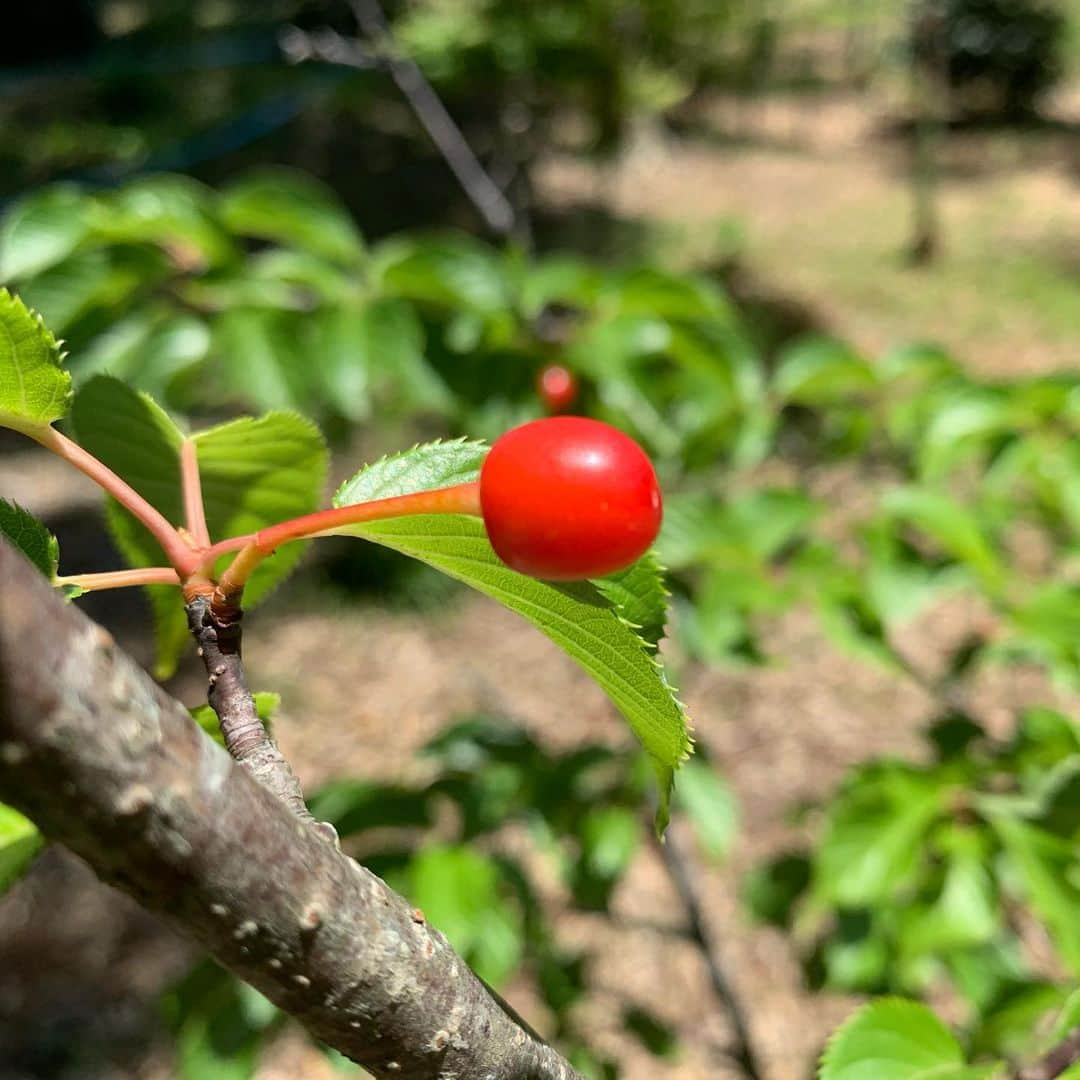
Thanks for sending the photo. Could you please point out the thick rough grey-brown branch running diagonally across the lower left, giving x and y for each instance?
(109, 765)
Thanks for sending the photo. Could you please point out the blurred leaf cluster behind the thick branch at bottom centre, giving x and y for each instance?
(582, 813)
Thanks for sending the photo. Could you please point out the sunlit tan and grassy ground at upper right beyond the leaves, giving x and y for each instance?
(817, 188)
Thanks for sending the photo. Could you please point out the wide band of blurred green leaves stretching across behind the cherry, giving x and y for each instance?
(265, 296)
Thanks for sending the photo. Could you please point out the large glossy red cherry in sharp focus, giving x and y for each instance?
(569, 498)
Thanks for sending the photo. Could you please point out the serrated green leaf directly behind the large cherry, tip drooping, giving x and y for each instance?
(582, 618)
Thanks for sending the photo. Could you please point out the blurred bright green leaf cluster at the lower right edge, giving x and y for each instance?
(927, 877)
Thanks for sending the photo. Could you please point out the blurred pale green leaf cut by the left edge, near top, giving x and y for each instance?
(42, 231)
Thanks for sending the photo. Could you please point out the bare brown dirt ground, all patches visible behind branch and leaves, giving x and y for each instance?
(87, 962)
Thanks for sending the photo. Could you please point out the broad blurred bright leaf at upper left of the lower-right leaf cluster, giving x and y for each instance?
(875, 834)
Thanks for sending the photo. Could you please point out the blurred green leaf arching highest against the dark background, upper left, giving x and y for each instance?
(294, 209)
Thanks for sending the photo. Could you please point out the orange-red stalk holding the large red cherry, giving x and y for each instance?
(461, 499)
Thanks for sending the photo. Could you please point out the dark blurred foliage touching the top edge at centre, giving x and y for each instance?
(610, 64)
